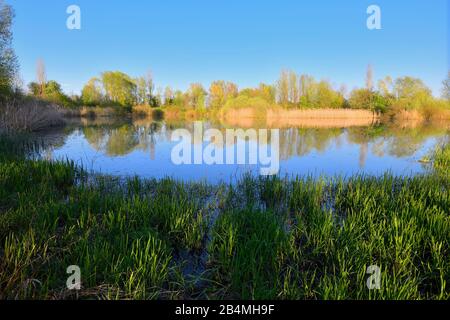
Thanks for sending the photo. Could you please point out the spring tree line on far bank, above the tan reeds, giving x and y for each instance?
(292, 90)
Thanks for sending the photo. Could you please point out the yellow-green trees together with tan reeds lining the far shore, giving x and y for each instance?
(402, 98)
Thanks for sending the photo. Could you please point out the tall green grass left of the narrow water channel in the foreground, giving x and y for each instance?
(123, 236)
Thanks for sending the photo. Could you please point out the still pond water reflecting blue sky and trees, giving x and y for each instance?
(144, 148)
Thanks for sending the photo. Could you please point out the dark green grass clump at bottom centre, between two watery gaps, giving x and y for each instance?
(247, 251)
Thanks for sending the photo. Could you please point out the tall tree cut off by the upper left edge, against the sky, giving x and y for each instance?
(8, 59)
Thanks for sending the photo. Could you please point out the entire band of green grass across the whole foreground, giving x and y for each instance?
(262, 238)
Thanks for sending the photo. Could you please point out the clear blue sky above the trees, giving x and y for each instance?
(242, 41)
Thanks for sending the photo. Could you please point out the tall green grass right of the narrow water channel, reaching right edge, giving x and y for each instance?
(332, 231)
